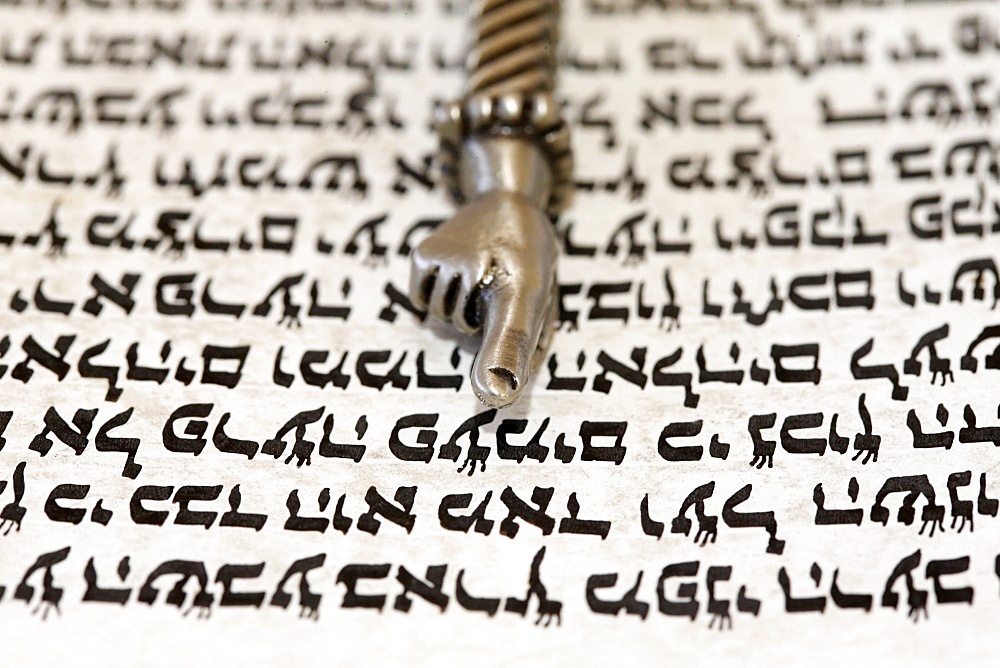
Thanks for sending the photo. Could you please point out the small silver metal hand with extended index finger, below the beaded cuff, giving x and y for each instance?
(492, 268)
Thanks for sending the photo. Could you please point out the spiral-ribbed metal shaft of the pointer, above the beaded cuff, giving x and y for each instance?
(514, 47)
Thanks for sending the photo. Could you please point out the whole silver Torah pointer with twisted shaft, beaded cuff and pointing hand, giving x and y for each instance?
(506, 161)
